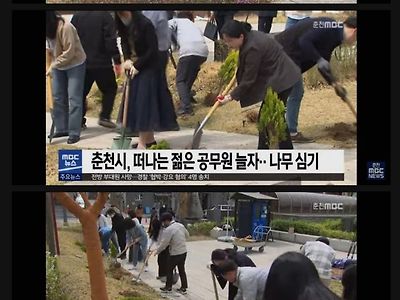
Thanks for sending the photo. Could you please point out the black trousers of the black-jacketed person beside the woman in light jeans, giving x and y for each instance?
(105, 80)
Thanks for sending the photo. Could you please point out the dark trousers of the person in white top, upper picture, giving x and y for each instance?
(186, 73)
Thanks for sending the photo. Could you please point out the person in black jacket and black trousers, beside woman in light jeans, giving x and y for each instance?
(97, 33)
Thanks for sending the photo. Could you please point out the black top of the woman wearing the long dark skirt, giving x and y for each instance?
(140, 38)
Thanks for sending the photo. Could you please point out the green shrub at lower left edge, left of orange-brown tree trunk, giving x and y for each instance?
(53, 288)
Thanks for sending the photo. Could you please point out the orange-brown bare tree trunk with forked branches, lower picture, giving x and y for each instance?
(88, 218)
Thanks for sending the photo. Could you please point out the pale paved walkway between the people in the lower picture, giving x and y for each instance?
(199, 277)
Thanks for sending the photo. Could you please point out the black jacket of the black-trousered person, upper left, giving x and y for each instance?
(97, 33)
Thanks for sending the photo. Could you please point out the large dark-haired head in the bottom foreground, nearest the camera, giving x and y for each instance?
(304, 283)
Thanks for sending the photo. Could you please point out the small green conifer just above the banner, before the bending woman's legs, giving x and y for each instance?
(272, 119)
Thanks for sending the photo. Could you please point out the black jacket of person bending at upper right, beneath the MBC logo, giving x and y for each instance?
(309, 40)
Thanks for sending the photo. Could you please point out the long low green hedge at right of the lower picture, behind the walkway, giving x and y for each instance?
(330, 228)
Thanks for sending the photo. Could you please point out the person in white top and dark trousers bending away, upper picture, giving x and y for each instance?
(193, 52)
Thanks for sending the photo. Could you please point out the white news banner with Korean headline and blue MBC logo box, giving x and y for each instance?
(200, 165)
